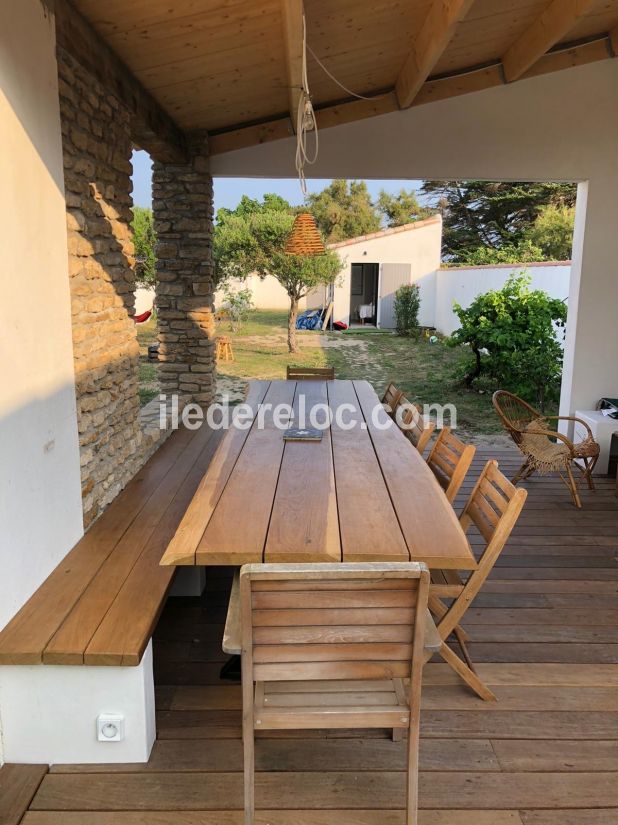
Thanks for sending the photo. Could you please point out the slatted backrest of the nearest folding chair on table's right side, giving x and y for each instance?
(493, 507)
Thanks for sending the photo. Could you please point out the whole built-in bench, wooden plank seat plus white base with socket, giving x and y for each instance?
(98, 609)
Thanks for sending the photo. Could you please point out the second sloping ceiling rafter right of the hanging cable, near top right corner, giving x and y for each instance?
(553, 24)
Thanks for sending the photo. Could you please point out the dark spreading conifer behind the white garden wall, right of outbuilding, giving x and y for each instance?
(490, 214)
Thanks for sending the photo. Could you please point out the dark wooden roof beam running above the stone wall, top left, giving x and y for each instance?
(151, 127)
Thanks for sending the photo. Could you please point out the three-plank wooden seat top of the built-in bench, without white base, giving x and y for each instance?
(101, 603)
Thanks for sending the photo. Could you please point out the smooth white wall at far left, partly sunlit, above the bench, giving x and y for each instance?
(40, 491)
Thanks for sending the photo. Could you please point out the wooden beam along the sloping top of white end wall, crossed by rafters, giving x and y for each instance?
(431, 91)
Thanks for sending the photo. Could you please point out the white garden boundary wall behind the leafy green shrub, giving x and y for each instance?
(463, 284)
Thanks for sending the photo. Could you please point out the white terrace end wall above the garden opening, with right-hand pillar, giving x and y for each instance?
(560, 126)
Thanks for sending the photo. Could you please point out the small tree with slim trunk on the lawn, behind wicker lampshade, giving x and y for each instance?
(250, 240)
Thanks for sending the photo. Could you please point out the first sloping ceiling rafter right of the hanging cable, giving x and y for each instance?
(429, 45)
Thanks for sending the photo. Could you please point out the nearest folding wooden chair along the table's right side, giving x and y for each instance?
(493, 508)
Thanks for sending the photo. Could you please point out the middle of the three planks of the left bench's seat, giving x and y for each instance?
(69, 643)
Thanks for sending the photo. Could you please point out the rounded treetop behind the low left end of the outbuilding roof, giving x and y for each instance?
(344, 210)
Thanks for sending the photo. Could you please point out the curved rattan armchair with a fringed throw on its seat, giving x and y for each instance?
(545, 450)
